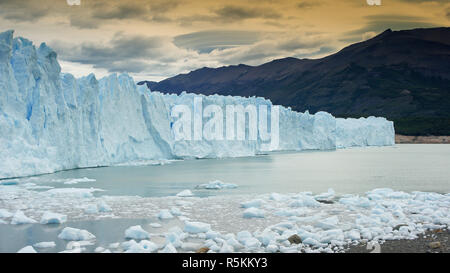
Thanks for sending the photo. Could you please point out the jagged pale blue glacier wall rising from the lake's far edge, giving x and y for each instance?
(51, 121)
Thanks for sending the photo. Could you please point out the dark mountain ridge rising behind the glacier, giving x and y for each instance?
(402, 75)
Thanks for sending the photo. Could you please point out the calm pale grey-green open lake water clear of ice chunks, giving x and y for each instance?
(402, 167)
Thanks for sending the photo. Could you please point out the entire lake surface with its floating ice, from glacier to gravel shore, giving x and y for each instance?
(85, 211)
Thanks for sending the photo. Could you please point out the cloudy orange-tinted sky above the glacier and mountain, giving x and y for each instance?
(157, 39)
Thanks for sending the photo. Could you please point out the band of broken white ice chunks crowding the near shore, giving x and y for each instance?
(325, 222)
